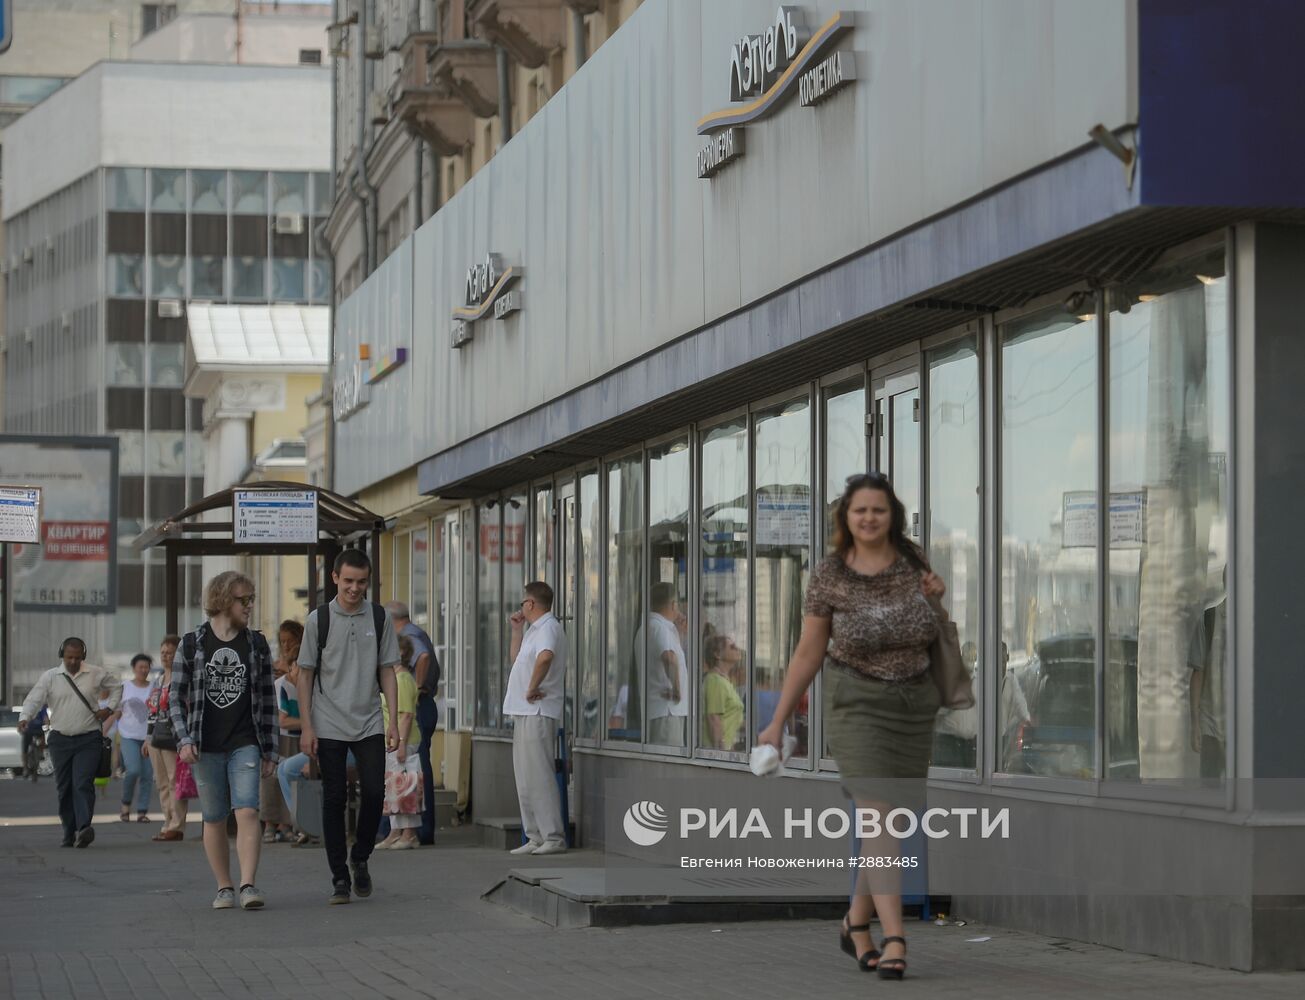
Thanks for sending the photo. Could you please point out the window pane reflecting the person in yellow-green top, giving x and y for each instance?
(724, 586)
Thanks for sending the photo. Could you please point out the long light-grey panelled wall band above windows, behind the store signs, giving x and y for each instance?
(627, 250)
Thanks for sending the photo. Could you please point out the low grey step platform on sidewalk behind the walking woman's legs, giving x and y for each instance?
(596, 898)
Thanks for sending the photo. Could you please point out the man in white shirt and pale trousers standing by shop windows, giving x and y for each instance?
(534, 702)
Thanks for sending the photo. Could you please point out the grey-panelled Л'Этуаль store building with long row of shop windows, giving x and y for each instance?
(745, 255)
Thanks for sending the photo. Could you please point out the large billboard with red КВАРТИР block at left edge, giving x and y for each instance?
(75, 567)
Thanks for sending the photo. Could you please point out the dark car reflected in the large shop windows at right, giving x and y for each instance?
(1062, 695)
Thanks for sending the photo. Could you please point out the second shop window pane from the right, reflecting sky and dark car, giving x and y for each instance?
(1049, 562)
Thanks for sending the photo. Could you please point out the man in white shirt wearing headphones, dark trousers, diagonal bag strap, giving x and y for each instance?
(72, 691)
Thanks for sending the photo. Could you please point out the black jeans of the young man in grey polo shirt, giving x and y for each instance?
(370, 764)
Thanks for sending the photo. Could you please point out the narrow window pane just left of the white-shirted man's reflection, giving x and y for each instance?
(624, 597)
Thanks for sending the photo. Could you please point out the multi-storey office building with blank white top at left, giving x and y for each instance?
(131, 194)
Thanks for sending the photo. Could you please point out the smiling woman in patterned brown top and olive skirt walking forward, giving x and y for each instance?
(871, 614)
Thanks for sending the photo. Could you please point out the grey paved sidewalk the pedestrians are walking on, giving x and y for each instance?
(130, 918)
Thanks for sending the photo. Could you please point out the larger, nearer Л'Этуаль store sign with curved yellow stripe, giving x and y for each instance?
(767, 70)
